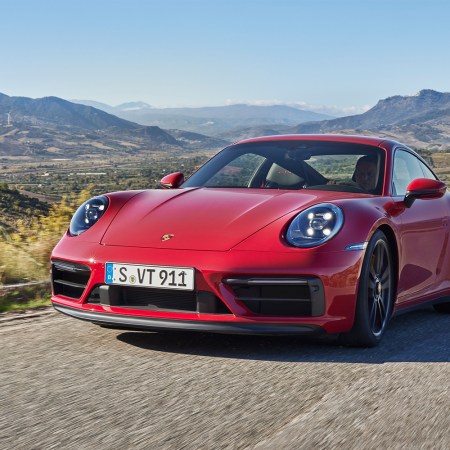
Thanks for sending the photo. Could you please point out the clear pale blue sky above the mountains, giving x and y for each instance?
(344, 54)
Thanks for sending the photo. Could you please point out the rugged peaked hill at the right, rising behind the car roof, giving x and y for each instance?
(422, 120)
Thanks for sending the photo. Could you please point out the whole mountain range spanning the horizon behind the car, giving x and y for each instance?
(51, 125)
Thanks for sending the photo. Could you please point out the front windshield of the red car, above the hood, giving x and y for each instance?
(295, 165)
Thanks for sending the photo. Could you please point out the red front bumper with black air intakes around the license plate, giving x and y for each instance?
(221, 303)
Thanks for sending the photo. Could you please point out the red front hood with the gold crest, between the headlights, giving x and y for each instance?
(201, 218)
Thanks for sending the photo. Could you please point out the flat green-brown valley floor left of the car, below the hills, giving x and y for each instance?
(58, 176)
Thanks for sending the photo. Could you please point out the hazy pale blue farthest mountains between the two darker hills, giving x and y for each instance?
(213, 120)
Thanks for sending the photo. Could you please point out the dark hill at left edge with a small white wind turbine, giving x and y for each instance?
(55, 126)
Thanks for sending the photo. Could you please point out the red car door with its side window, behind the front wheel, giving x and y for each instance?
(424, 236)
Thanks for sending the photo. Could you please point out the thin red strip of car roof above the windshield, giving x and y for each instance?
(367, 140)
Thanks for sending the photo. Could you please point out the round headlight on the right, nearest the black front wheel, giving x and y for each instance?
(315, 225)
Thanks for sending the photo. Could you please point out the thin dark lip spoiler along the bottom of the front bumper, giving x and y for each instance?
(144, 323)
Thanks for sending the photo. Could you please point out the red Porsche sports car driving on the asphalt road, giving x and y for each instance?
(283, 234)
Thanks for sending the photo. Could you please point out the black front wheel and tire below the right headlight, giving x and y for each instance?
(375, 299)
